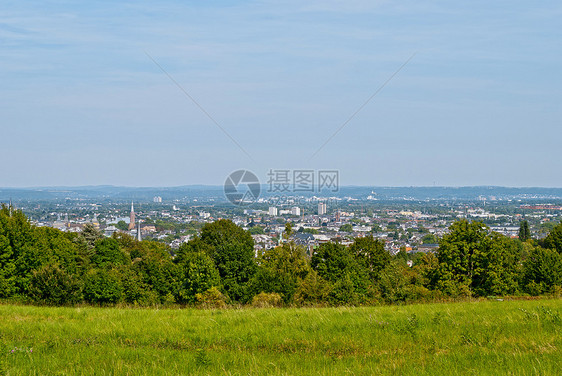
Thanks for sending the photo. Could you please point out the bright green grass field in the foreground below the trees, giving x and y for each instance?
(479, 338)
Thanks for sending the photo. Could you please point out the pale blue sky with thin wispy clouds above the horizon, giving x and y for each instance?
(98, 92)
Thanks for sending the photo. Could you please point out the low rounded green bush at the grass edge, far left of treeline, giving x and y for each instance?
(52, 285)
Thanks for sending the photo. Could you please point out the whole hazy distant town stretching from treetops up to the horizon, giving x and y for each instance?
(406, 221)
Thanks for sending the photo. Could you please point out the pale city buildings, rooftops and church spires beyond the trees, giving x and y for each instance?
(402, 227)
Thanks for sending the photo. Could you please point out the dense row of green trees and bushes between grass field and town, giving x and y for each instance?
(47, 266)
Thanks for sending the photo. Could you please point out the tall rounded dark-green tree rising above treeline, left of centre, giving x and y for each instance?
(233, 254)
